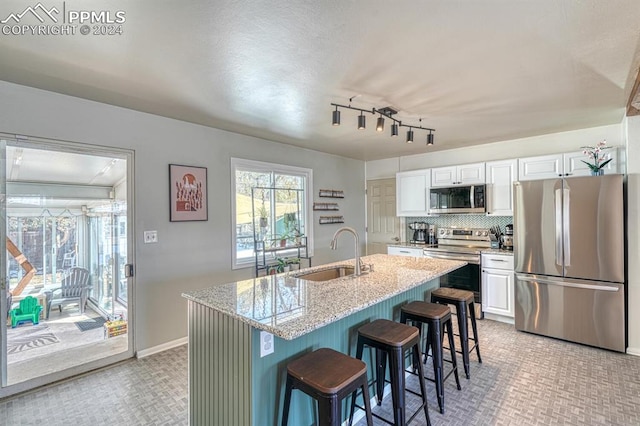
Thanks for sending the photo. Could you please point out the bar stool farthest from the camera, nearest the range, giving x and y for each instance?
(463, 301)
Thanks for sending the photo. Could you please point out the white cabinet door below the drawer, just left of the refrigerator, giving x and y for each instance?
(497, 292)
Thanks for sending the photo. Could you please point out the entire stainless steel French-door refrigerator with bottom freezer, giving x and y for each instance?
(569, 249)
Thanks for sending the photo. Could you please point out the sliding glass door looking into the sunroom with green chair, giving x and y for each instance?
(66, 238)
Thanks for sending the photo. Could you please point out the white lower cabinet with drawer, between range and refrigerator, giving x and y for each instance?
(498, 287)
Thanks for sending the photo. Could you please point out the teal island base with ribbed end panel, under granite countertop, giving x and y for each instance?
(230, 384)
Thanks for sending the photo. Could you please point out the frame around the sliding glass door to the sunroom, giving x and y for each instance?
(79, 148)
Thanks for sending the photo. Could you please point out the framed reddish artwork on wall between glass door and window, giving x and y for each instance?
(187, 193)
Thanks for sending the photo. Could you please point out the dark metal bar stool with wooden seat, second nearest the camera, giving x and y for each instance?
(392, 339)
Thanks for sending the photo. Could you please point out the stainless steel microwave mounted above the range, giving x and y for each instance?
(458, 199)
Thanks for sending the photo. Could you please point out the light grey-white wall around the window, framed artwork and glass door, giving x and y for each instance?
(189, 255)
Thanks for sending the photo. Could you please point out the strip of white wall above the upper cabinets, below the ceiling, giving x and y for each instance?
(516, 148)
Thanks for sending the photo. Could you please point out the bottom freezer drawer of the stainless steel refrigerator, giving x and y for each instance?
(580, 311)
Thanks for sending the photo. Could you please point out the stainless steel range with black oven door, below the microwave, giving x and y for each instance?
(463, 244)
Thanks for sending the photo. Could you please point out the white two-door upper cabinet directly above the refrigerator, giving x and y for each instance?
(561, 165)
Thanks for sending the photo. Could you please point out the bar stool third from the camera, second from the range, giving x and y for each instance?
(438, 319)
